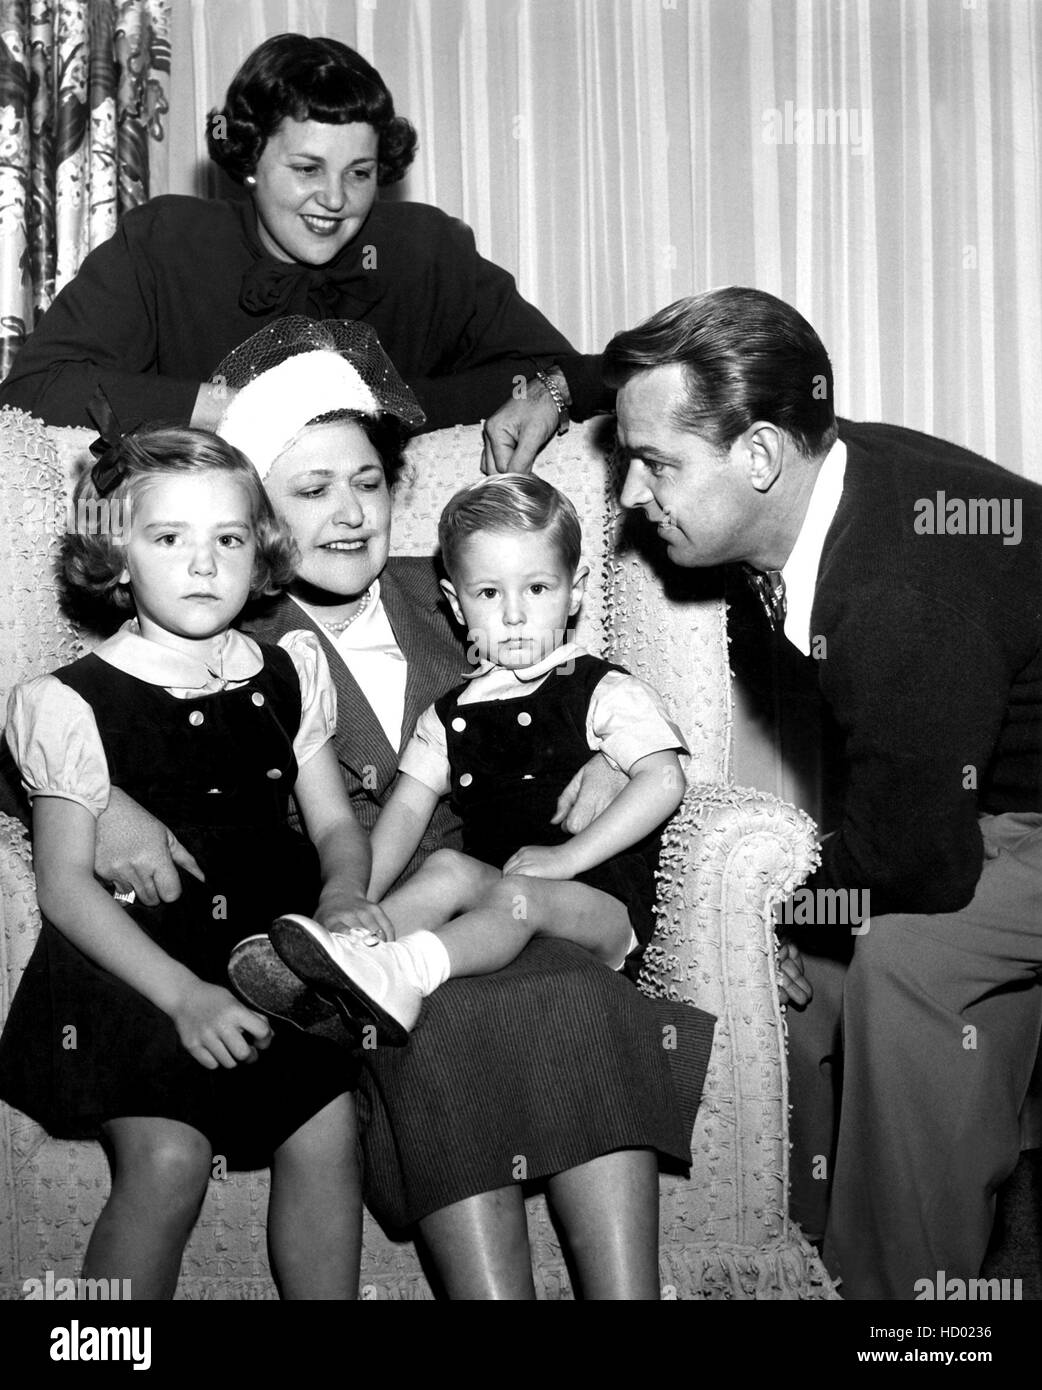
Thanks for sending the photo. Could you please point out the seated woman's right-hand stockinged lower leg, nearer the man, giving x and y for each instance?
(609, 1211)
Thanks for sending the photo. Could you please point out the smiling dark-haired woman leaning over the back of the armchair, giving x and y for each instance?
(311, 129)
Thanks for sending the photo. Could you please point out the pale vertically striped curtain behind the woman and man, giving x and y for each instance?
(876, 163)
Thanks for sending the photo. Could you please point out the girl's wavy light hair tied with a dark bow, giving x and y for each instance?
(94, 555)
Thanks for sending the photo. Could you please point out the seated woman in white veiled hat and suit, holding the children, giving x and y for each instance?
(552, 1070)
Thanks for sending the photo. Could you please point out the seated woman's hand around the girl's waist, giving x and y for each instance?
(138, 854)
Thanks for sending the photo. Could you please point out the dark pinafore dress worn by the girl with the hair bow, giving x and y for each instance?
(80, 1046)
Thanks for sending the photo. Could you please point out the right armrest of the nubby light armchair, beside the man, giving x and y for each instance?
(729, 857)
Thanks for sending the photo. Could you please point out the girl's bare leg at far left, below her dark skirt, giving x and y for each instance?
(160, 1172)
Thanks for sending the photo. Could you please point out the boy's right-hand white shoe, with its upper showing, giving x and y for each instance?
(367, 981)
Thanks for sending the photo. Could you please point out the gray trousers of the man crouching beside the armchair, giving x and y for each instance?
(938, 1020)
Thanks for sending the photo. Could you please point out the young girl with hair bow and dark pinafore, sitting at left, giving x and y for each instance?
(123, 1028)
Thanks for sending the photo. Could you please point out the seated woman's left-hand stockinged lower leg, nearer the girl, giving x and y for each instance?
(480, 1248)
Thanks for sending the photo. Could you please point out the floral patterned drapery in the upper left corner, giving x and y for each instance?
(83, 98)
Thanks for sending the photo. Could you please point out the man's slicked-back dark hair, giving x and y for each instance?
(747, 355)
